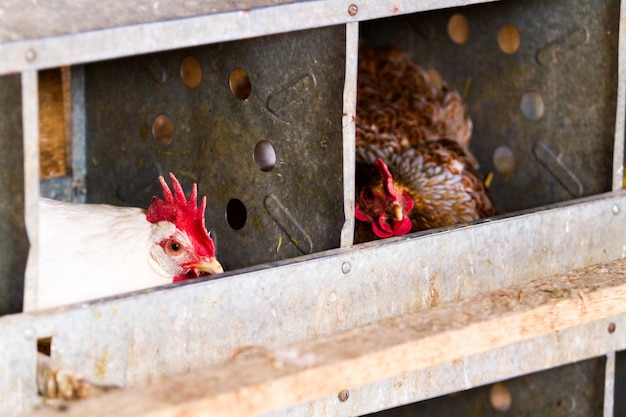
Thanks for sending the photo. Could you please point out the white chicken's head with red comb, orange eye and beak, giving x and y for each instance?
(182, 248)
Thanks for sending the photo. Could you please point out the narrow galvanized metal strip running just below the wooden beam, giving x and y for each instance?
(558, 348)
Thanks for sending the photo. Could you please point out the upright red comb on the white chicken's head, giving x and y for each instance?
(185, 214)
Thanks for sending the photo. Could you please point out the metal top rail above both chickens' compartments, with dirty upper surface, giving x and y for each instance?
(96, 40)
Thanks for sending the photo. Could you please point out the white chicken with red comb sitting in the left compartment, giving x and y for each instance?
(89, 251)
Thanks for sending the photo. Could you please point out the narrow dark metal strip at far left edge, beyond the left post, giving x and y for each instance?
(14, 243)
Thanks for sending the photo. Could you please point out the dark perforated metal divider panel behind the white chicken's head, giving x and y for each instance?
(295, 104)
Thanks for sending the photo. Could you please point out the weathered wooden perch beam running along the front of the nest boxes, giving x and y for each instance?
(262, 379)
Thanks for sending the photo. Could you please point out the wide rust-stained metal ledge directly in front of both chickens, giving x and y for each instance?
(133, 339)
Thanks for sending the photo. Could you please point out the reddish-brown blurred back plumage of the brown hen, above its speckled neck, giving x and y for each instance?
(399, 106)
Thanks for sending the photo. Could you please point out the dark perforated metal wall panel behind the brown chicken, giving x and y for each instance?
(564, 76)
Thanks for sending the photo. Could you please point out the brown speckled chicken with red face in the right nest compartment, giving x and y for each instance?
(413, 171)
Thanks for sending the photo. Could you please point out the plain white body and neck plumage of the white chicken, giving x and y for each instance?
(90, 251)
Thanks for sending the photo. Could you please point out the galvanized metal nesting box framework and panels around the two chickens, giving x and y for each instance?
(214, 112)
